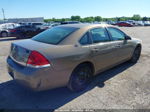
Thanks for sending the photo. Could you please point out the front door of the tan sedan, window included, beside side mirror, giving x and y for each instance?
(122, 46)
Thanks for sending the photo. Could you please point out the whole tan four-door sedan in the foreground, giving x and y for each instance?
(70, 55)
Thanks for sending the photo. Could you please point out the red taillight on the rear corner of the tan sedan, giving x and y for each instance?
(36, 59)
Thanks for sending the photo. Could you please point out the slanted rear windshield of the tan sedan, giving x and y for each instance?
(54, 35)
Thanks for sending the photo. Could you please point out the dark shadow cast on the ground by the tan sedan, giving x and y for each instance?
(15, 96)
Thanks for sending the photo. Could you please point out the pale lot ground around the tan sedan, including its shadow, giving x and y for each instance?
(126, 86)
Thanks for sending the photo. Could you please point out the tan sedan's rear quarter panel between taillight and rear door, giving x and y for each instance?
(67, 56)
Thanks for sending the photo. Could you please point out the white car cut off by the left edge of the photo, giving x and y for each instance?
(4, 28)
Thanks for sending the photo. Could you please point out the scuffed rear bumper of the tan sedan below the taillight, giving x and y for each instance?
(37, 78)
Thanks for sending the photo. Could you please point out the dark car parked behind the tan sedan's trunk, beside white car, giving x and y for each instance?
(26, 31)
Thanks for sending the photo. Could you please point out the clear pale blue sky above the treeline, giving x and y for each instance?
(67, 8)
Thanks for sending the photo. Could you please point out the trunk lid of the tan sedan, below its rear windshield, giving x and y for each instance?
(21, 50)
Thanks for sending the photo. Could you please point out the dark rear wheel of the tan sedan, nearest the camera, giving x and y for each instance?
(80, 78)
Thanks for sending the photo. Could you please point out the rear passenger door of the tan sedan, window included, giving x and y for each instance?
(102, 51)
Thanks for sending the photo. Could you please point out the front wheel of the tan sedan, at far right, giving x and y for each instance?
(136, 55)
